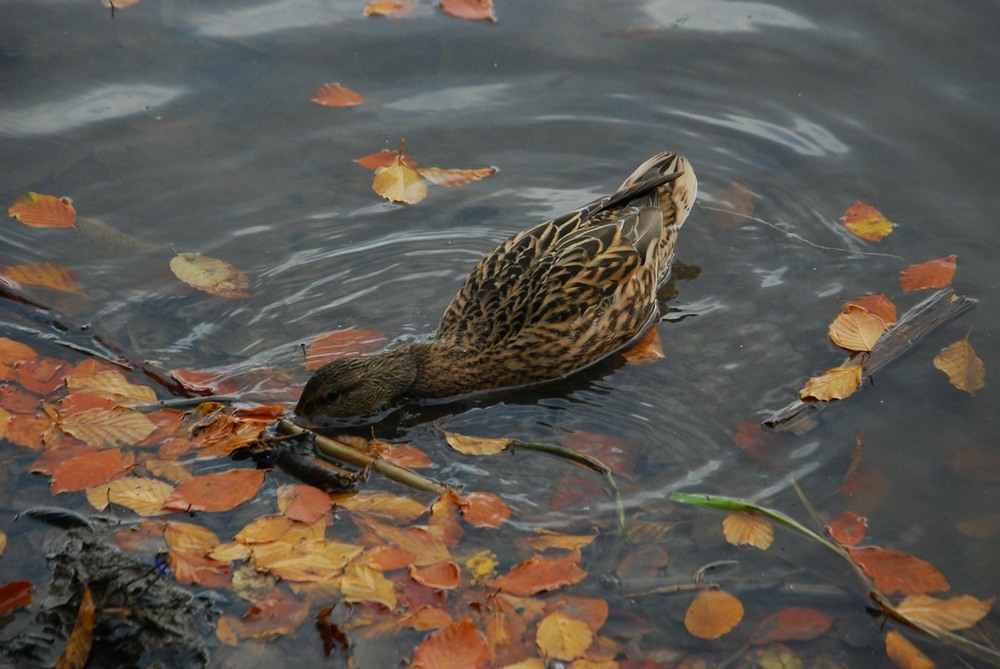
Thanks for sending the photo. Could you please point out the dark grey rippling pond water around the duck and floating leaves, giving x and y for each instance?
(190, 126)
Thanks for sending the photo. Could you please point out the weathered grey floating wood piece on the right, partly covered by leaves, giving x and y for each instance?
(941, 307)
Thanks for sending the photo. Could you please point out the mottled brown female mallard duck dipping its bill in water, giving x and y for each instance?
(548, 301)
